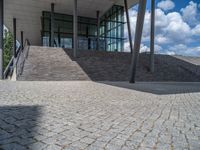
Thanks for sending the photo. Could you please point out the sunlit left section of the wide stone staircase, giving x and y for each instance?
(51, 64)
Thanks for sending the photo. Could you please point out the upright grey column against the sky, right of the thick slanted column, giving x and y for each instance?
(152, 36)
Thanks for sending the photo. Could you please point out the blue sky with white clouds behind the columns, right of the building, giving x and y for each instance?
(177, 27)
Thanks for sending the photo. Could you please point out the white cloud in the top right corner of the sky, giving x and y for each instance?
(189, 13)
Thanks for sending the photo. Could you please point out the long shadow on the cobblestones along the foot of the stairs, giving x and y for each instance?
(159, 88)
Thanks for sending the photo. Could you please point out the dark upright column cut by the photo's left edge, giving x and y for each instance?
(1, 38)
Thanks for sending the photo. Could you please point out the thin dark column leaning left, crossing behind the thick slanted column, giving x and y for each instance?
(128, 25)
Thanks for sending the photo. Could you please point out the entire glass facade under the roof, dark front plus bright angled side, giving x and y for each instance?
(111, 30)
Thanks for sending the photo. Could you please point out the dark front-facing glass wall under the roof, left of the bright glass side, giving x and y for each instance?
(63, 31)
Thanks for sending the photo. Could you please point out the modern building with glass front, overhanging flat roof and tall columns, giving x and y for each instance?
(75, 24)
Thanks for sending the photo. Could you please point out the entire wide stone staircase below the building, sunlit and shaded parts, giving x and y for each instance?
(56, 64)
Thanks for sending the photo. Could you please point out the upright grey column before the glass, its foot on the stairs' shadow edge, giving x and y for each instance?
(75, 28)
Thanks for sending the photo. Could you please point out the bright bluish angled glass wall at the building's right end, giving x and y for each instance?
(112, 29)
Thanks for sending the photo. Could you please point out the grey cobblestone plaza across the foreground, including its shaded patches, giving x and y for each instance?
(96, 116)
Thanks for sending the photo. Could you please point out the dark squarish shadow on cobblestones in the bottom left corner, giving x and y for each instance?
(18, 126)
